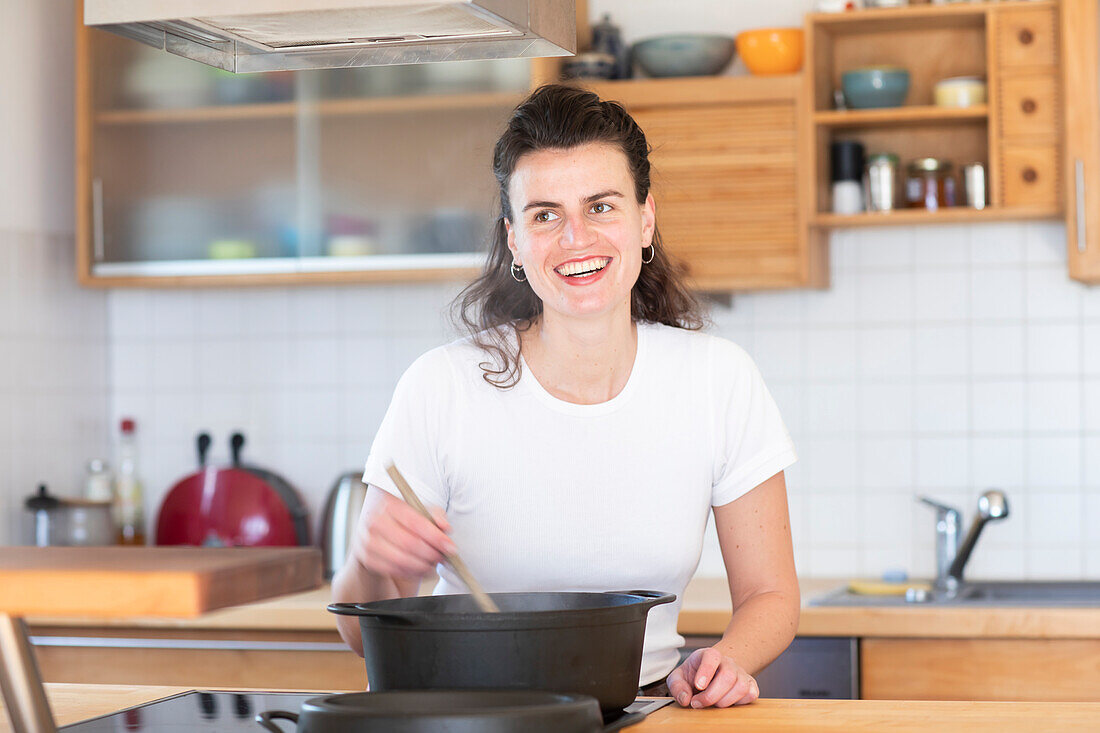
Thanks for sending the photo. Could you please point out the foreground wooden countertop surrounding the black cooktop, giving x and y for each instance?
(75, 703)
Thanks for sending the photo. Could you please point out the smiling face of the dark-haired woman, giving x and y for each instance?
(578, 231)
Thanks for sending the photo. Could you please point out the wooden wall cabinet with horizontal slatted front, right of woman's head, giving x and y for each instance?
(727, 166)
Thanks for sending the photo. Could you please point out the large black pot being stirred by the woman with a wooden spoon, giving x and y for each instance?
(568, 643)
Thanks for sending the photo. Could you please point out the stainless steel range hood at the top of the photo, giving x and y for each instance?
(266, 36)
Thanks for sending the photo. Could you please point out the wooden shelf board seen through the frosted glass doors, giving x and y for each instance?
(326, 108)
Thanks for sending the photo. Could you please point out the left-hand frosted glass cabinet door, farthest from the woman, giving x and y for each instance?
(180, 174)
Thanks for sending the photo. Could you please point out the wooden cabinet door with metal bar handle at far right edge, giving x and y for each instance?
(1081, 73)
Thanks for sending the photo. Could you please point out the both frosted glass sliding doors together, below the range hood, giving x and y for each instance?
(201, 172)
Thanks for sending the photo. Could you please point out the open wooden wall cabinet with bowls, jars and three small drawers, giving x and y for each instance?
(1017, 136)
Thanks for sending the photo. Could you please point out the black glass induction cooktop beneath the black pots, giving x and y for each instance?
(229, 713)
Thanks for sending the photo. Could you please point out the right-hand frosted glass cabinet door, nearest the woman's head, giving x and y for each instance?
(410, 183)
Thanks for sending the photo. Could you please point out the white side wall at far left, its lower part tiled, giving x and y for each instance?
(53, 346)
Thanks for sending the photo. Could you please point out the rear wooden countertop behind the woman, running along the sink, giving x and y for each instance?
(706, 612)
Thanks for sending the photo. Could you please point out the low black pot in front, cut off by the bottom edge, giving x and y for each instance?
(455, 712)
